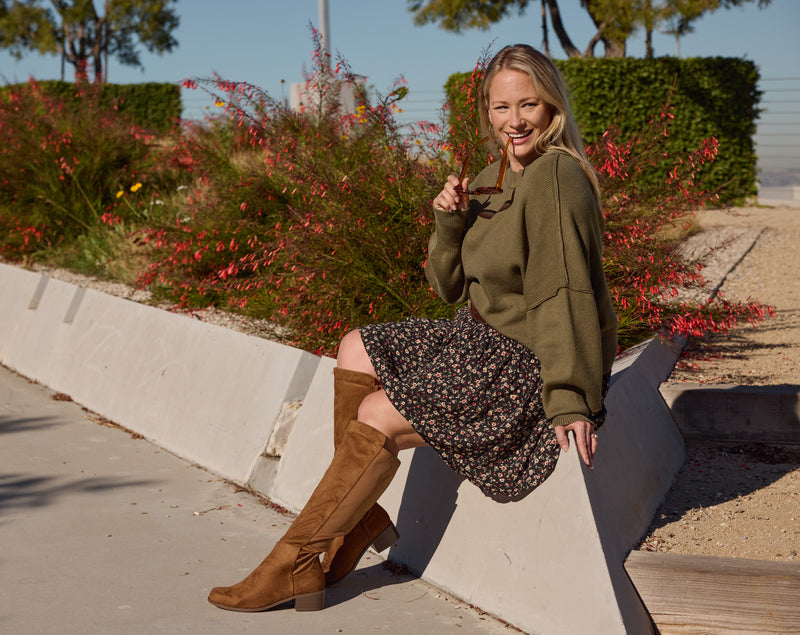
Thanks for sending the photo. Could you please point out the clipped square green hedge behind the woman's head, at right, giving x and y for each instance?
(711, 97)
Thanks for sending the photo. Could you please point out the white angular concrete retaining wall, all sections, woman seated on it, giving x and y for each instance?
(260, 413)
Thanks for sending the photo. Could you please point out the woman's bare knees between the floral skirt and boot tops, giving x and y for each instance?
(376, 410)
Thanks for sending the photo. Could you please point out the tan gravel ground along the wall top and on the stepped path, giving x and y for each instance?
(728, 500)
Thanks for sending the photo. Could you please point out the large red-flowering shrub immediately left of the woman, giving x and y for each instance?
(318, 219)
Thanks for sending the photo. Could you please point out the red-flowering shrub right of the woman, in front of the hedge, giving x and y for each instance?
(645, 275)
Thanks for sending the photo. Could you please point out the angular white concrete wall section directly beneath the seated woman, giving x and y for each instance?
(515, 560)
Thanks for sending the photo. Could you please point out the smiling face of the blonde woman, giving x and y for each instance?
(516, 112)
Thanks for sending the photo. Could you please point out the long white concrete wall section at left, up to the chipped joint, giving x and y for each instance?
(210, 395)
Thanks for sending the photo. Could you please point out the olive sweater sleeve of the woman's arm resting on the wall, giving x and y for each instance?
(564, 232)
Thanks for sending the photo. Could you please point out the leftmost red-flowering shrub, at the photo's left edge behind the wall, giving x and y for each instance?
(63, 168)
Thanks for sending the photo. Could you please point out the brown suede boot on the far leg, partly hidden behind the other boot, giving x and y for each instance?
(375, 528)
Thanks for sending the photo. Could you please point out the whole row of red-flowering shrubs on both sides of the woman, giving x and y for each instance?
(318, 220)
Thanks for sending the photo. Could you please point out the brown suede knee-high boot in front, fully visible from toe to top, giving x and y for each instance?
(360, 471)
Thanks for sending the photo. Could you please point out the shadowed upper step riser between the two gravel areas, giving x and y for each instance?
(767, 414)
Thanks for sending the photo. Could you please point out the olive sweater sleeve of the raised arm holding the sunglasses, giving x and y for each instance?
(444, 268)
